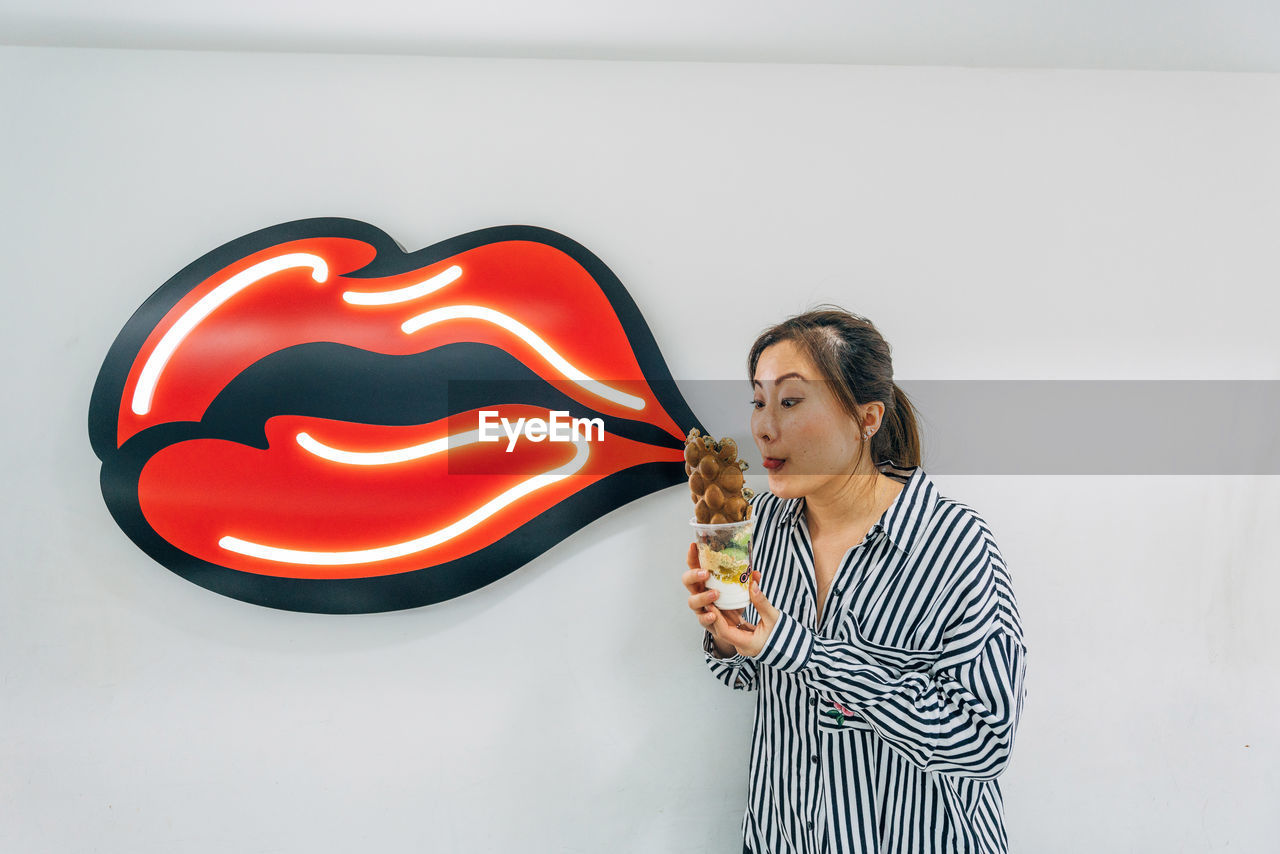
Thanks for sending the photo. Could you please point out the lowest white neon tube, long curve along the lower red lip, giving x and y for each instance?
(422, 544)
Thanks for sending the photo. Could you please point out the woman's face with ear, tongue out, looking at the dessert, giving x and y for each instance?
(808, 441)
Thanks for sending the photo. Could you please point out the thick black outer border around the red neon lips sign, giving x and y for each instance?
(122, 467)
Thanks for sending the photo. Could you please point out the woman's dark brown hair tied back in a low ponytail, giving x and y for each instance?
(854, 358)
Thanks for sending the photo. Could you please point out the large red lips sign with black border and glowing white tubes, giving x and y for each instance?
(312, 419)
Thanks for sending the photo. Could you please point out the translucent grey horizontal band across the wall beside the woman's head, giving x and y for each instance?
(1063, 427)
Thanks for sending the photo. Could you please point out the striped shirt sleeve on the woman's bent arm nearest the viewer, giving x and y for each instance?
(958, 718)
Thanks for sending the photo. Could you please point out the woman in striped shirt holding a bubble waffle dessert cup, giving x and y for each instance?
(884, 640)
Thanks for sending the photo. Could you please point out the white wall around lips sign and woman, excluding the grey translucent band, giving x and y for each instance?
(995, 225)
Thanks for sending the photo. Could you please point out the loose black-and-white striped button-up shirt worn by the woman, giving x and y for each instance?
(884, 727)
